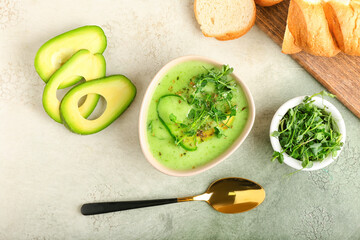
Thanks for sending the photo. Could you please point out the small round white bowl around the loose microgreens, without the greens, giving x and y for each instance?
(294, 163)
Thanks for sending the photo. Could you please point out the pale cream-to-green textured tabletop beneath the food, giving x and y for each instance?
(46, 172)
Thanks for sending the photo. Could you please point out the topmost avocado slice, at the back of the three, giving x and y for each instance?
(59, 49)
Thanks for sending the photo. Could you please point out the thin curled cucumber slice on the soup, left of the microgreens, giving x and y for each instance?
(177, 106)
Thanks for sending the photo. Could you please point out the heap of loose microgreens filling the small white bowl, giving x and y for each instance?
(308, 133)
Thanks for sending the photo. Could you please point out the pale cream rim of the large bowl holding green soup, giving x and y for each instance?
(144, 112)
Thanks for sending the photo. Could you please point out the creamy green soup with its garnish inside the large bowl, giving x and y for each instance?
(196, 113)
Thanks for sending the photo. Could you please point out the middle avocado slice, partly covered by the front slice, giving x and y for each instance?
(82, 64)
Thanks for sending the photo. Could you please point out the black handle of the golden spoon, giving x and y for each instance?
(106, 207)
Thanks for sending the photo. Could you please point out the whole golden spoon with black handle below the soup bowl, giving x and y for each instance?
(227, 195)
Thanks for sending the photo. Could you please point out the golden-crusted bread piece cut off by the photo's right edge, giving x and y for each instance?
(344, 22)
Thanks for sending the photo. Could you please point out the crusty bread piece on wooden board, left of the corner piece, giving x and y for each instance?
(308, 25)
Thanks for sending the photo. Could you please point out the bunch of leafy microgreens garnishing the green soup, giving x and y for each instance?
(210, 97)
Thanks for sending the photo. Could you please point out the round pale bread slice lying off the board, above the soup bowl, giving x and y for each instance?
(225, 19)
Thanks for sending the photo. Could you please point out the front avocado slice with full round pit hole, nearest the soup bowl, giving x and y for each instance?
(118, 92)
